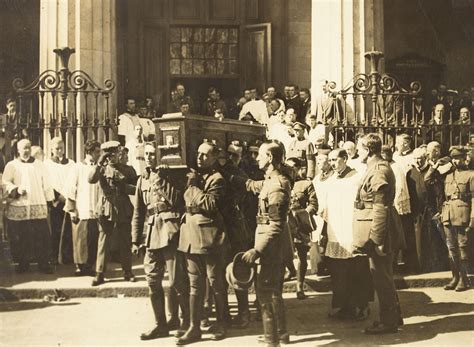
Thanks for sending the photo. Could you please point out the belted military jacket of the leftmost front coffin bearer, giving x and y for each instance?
(156, 210)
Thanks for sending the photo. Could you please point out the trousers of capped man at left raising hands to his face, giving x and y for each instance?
(123, 230)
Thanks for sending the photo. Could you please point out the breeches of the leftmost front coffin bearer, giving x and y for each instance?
(155, 263)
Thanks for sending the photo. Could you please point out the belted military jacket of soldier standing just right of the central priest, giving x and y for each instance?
(375, 216)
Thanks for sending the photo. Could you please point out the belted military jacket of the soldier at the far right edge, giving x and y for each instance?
(459, 191)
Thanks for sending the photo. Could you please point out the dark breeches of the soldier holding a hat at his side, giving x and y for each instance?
(269, 282)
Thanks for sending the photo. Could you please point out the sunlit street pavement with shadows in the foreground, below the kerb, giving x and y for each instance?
(433, 317)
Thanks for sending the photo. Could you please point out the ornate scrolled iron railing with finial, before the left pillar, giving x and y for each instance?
(60, 103)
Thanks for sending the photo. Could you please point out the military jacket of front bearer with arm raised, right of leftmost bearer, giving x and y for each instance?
(203, 230)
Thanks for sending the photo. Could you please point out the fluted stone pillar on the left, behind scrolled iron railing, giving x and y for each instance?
(89, 26)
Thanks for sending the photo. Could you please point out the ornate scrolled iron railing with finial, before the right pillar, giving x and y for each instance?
(377, 102)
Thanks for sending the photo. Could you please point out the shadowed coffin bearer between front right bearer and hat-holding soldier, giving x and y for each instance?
(237, 230)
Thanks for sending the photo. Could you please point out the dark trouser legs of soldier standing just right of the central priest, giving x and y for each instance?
(382, 274)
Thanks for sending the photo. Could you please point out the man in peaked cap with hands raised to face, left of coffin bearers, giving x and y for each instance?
(114, 210)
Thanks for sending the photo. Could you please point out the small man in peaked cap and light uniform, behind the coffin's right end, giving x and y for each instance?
(302, 149)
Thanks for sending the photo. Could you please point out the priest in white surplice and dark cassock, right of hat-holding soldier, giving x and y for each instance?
(350, 275)
